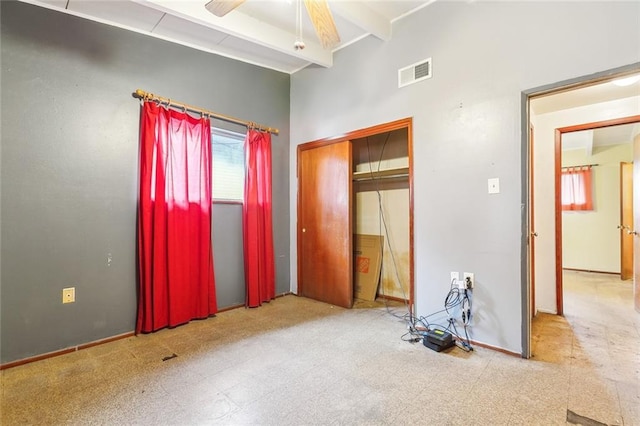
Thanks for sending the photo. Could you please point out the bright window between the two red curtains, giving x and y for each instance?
(228, 165)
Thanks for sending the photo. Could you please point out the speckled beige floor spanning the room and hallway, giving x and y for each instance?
(295, 361)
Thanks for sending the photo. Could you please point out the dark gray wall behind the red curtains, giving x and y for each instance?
(69, 170)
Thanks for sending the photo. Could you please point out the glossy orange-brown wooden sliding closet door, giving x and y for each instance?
(325, 270)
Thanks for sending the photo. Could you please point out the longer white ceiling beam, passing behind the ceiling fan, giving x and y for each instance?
(244, 27)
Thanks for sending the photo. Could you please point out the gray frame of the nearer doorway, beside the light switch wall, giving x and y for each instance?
(525, 228)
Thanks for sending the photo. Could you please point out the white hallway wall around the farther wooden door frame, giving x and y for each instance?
(544, 187)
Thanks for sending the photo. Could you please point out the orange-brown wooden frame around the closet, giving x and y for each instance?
(405, 123)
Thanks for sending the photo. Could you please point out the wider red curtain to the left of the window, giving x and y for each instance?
(175, 254)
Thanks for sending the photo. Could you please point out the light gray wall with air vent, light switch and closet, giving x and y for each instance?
(467, 128)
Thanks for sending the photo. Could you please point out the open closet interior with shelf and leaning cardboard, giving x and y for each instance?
(381, 216)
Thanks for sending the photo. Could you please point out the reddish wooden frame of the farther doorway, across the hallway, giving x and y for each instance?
(558, 191)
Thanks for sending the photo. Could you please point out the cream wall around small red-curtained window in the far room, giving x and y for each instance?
(590, 239)
